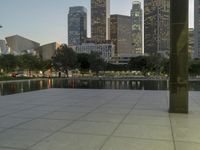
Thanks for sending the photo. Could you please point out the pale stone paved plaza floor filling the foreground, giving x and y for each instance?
(67, 119)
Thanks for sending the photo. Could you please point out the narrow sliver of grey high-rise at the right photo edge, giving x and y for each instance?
(196, 29)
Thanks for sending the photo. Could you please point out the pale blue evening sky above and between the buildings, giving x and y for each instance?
(45, 21)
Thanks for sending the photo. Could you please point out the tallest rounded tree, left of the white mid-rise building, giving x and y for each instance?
(65, 59)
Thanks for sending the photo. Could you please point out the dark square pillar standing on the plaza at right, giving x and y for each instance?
(179, 56)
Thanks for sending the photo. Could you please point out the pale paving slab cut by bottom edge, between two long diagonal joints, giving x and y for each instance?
(66, 141)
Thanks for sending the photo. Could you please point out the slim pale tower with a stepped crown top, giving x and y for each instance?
(137, 29)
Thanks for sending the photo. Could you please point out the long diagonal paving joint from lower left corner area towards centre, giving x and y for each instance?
(57, 131)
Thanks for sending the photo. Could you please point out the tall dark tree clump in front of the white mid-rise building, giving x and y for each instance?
(66, 59)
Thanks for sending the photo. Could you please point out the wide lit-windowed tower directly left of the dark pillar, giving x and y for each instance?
(156, 26)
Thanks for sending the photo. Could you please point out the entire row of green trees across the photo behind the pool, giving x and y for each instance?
(66, 59)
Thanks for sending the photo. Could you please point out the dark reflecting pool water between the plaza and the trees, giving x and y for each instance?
(12, 87)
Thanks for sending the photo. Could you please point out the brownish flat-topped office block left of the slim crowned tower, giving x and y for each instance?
(121, 35)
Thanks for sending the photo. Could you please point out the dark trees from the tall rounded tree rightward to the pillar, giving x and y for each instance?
(66, 59)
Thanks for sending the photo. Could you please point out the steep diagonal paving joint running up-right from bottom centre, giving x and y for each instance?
(105, 141)
